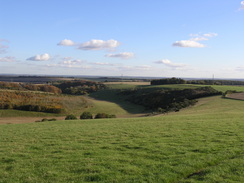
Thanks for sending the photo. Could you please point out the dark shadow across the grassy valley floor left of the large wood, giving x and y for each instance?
(111, 95)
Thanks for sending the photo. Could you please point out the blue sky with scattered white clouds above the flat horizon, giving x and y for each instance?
(156, 38)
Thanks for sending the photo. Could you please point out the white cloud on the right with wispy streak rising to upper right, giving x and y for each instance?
(193, 42)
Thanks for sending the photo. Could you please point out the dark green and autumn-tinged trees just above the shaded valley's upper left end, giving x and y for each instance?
(80, 87)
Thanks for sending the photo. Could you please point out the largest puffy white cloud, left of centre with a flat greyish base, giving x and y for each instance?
(99, 44)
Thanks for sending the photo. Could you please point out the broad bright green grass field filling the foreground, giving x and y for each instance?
(203, 143)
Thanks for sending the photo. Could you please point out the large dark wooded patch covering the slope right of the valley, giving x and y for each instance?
(168, 100)
